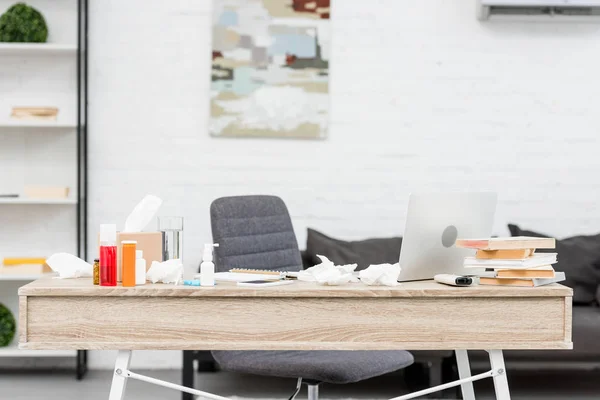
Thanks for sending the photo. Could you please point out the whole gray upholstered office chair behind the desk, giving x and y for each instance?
(256, 232)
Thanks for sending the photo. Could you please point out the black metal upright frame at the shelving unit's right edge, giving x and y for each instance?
(82, 117)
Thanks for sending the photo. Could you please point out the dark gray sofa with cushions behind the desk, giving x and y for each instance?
(579, 258)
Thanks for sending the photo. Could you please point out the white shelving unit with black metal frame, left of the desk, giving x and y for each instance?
(43, 152)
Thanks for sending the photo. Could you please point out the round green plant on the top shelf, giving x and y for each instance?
(22, 23)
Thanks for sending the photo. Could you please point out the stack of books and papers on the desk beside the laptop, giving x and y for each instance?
(512, 261)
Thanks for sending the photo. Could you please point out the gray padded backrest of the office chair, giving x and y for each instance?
(254, 232)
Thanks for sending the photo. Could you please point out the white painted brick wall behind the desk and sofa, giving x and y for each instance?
(424, 97)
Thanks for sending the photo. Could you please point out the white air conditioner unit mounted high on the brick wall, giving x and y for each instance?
(488, 8)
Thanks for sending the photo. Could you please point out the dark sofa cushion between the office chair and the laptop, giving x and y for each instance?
(363, 252)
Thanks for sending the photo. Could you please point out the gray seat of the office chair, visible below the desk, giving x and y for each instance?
(324, 366)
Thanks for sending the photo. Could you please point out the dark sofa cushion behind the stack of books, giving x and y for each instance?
(578, 258)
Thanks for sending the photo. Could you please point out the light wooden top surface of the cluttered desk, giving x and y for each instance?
(84, 287)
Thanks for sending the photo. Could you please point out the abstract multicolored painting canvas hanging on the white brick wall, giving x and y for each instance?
(270, 68)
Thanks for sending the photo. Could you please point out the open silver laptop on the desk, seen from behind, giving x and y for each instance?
(433, 223)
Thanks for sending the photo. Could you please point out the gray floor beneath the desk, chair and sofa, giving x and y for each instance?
(62, 386)
